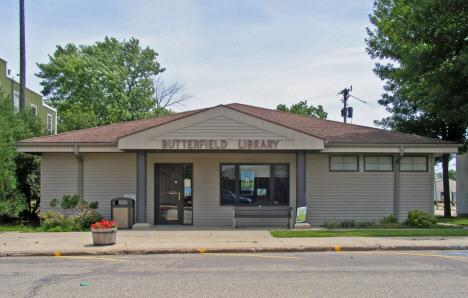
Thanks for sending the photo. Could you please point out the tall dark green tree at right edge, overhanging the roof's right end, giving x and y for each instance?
(425, 43)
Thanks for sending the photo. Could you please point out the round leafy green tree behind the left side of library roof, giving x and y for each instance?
(105, 83)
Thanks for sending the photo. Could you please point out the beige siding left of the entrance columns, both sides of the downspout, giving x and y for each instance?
(105, 176)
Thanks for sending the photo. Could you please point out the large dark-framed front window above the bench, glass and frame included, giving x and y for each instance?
(255, 184)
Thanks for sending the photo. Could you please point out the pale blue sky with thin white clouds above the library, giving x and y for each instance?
(261, 53)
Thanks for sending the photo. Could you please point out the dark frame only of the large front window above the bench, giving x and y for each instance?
(271, 182)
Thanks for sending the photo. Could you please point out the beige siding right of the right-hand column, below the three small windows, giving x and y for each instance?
(335, 196)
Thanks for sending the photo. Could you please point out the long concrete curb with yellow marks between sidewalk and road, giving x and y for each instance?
(230, 250)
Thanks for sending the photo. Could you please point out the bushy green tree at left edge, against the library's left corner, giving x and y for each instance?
(19, 173)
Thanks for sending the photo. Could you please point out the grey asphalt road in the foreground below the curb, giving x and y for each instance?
(324, 274)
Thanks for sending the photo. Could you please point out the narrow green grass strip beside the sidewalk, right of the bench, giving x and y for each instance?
(371, 233)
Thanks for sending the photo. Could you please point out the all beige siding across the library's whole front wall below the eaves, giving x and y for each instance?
(331, 196)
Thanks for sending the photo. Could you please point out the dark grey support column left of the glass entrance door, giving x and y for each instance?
(141, 191)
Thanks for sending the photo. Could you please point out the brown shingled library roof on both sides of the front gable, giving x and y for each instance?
(327, 130)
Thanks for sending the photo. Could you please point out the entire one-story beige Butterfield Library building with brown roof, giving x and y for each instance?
(195, 167)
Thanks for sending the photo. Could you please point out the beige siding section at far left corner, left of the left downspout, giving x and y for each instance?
(59, 176)
